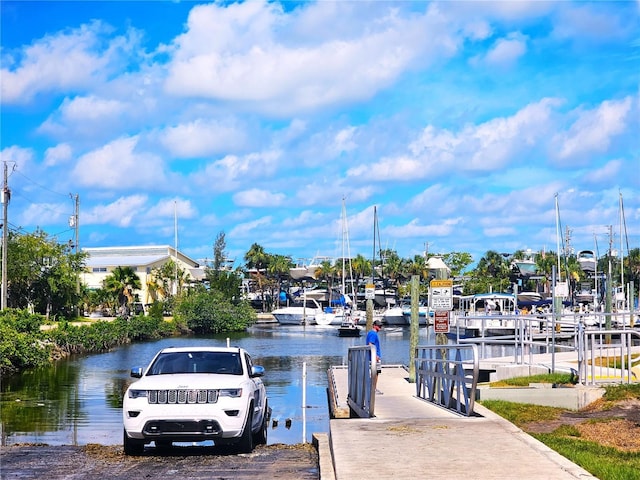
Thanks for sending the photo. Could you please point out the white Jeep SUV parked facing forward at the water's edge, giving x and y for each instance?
(193, 394)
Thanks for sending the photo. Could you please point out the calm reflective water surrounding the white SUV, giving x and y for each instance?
(79, 400)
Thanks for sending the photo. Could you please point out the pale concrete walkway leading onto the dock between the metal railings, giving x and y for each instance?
(410, 438)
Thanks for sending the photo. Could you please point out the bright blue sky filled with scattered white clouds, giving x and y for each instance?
(467, 126)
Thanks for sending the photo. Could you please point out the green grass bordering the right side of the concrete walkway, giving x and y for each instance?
(604, 462)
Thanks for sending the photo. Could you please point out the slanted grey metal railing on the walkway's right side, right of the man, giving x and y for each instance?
(447, 375)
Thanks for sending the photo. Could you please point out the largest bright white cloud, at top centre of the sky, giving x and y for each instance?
(239, 52)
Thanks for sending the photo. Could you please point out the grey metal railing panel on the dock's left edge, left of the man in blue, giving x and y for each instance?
(362, 379)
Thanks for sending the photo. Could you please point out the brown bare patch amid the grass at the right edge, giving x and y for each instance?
(609, 424)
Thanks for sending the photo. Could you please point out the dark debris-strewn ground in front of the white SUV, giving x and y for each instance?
(286, 462)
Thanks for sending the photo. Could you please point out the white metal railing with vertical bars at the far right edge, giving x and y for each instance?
(605, 356)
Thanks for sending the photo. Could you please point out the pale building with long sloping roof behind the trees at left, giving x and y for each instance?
(101, 262)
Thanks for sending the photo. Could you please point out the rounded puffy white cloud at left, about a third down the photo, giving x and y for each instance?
(118, 166)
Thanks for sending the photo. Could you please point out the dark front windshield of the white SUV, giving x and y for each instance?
(197, 362)
